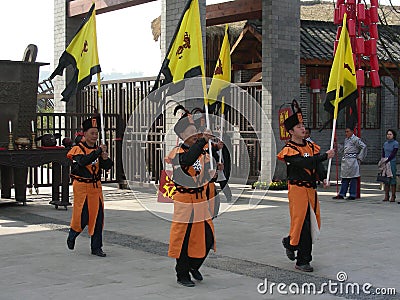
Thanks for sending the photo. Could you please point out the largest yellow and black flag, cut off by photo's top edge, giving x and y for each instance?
(184, 58)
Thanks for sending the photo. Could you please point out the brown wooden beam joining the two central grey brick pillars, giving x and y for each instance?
(233, 11)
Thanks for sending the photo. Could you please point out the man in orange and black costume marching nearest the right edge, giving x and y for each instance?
(304, 168)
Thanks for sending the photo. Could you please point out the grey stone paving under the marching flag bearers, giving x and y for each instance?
(359, 239)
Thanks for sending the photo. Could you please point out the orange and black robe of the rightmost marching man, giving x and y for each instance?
(304, 169)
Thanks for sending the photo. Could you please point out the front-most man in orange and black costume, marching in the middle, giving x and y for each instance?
(192, 230)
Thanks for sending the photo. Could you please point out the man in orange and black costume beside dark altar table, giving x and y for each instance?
(88, 160)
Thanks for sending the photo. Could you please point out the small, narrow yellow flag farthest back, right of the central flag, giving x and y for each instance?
(222, 73)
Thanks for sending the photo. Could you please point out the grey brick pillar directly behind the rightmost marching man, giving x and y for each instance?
(281, 73)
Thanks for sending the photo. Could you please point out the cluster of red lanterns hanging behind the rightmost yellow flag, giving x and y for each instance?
(363, 31)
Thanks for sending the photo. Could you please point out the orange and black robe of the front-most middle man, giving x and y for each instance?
(193, 199)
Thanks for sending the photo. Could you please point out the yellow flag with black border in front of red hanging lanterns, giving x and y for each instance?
(342, 85)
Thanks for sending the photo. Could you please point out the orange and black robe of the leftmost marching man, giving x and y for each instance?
(86, 175)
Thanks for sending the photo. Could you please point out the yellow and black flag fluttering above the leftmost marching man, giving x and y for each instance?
(82, 54)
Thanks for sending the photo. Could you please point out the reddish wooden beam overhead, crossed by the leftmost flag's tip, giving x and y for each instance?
(81, 7)
